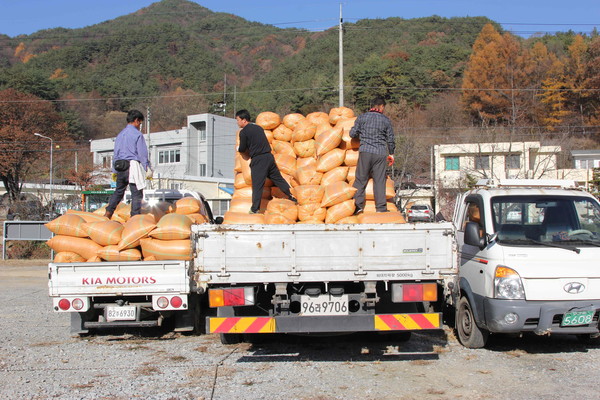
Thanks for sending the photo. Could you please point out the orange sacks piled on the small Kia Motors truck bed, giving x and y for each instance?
(159, 233)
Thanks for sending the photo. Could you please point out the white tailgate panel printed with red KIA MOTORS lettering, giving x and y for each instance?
(118, 278)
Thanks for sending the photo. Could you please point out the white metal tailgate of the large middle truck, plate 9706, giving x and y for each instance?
(263, 253)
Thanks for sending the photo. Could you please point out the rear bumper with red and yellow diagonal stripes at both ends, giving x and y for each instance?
(325, 324)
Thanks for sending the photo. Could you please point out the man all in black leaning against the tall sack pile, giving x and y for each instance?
(262, 165)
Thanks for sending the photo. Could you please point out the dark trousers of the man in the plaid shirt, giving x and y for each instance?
(370, 166)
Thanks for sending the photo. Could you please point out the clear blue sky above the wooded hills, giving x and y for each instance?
(522, 17)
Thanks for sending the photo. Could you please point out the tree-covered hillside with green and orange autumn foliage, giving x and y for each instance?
(445, 79)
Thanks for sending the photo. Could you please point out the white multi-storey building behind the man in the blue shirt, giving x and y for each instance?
(198, 157)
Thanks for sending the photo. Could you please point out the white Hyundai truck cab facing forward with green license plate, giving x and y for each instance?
(529, 253)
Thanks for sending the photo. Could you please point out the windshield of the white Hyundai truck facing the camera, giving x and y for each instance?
(542, 220)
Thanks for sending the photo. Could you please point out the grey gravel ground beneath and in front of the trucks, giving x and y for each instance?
(40, 360)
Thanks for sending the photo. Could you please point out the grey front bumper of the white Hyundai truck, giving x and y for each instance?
(541, 317)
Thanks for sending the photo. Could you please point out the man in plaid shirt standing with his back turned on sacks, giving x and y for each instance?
(377, 146)
